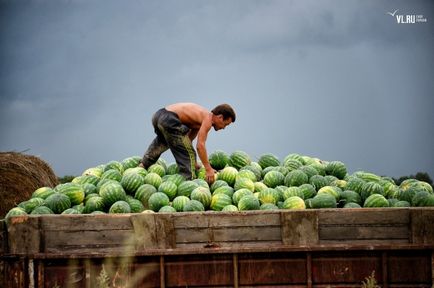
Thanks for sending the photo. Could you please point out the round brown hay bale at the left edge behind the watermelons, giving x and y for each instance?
(20, 175)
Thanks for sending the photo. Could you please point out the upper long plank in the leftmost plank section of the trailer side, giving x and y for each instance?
(86, 222)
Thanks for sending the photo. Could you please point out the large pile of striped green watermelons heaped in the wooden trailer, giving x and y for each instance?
(296, 182)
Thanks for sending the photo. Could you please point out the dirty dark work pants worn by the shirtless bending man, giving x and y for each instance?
(171, 134)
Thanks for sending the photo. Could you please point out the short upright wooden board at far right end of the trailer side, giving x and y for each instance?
(422, 230)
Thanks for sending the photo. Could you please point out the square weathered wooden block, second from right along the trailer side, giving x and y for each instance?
(299, 227)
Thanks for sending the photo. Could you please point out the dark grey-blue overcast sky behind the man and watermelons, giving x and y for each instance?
(337, 80)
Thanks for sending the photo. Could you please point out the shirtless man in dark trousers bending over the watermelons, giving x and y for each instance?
(177, 125)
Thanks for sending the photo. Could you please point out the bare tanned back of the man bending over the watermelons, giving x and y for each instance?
(190, 114)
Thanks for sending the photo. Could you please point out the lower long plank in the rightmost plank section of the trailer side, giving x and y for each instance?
(355, 232)
